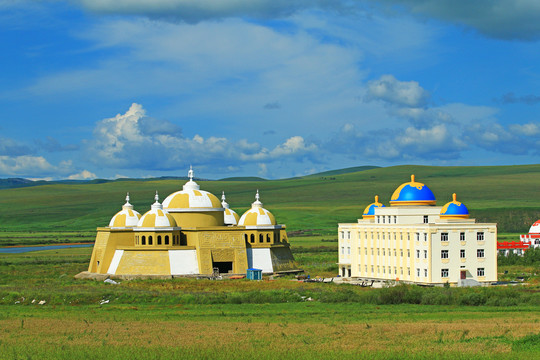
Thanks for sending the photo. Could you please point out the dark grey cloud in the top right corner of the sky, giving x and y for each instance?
(508, 20)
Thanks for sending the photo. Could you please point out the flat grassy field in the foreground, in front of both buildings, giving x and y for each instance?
(202, 319)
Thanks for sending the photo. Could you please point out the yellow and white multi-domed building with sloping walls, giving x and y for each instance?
(191, 233)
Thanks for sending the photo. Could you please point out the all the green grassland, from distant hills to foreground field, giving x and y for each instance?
(281, 318)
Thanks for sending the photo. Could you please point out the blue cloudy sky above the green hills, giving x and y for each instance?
(271, 88)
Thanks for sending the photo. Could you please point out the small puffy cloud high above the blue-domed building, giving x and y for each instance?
(400, 93)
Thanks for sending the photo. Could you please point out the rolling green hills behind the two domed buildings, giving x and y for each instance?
(508, 195)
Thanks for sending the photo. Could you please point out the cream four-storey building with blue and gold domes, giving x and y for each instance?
(415, 241)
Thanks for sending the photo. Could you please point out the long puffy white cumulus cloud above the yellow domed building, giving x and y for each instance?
(124, 141)
